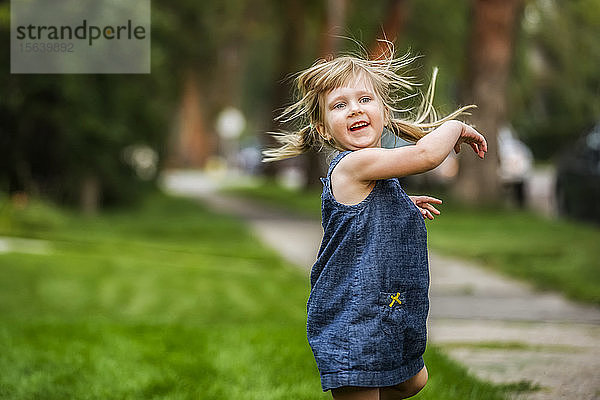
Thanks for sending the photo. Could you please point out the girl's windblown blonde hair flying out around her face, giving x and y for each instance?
(323, 76)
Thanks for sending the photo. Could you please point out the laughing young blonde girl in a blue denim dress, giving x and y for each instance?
(369, 300)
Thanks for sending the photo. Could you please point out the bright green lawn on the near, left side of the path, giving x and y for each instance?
(168, 302)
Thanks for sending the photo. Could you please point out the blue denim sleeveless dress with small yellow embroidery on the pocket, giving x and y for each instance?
(369, 301)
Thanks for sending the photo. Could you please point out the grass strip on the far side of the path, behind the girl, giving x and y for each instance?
(551, 254)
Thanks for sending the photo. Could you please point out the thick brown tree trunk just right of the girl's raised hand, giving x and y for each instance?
(490, 53)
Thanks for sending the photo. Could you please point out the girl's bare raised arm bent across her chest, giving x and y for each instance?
(371, 164)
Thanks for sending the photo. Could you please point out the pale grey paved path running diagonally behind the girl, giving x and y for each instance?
(501, 329)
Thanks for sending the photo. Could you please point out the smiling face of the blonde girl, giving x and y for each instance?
(353, 115)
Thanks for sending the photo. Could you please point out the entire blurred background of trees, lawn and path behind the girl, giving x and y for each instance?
(110, 288)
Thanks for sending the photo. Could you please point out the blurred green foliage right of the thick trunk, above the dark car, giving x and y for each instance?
(556, 87)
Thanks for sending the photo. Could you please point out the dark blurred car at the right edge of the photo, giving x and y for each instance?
(578, 178)
